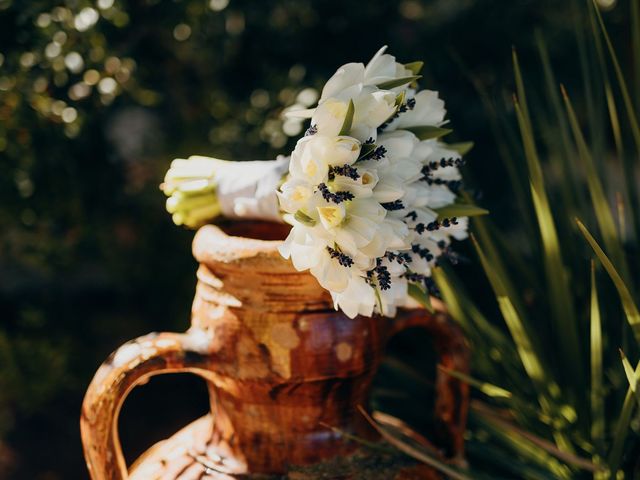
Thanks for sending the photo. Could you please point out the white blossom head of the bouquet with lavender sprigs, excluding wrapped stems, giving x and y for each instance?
(365, 220)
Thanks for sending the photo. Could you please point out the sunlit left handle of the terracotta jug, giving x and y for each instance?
(128, 366)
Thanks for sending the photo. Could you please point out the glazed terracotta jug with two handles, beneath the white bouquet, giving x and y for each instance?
(282, 367)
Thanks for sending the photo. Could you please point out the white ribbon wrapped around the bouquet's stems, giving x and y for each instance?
(248, 189)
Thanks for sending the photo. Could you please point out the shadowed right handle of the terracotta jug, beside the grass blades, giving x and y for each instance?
(452, 395)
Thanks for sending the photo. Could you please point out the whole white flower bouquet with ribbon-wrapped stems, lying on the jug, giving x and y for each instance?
(371, 190)
